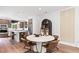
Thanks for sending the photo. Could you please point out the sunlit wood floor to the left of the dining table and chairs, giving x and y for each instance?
(7, 46)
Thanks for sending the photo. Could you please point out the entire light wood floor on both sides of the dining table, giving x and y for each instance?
(8, 46)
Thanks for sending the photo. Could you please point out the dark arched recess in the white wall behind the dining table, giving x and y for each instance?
(47, 24)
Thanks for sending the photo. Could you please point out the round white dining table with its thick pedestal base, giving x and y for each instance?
(39, 41)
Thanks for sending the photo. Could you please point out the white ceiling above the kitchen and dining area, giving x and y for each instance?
(25, 12)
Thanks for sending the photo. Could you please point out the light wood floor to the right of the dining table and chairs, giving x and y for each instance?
(68, 49)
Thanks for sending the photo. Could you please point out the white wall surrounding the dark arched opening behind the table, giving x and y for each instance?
(54, 17)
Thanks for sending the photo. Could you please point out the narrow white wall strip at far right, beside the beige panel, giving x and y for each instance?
(77, 26)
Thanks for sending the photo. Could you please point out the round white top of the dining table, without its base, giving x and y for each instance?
(40, 38)
